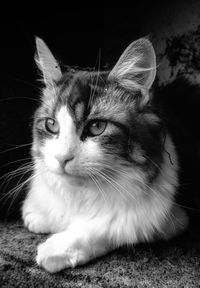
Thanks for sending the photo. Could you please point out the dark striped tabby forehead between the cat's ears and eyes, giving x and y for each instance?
(91, 95)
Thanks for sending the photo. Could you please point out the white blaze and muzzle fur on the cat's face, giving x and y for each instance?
(67, 146)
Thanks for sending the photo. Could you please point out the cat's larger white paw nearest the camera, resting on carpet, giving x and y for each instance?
(54, 255)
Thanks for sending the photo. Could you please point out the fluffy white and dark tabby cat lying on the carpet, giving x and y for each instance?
(105, 167)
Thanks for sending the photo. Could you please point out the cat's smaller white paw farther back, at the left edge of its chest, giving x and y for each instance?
(35, 222)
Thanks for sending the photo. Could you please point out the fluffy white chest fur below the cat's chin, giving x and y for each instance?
(131, 214)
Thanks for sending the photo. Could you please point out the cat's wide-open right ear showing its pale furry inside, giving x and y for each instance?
(136, 68)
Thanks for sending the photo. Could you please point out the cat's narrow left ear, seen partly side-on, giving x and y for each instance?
(47, 63)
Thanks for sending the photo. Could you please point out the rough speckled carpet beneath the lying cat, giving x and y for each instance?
(175, 264)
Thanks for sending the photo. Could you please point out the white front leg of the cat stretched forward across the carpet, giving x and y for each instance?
(71, 248)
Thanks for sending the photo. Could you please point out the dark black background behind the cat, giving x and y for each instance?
(94, 36)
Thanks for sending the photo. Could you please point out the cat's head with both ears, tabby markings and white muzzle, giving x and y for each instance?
(98, 124)
